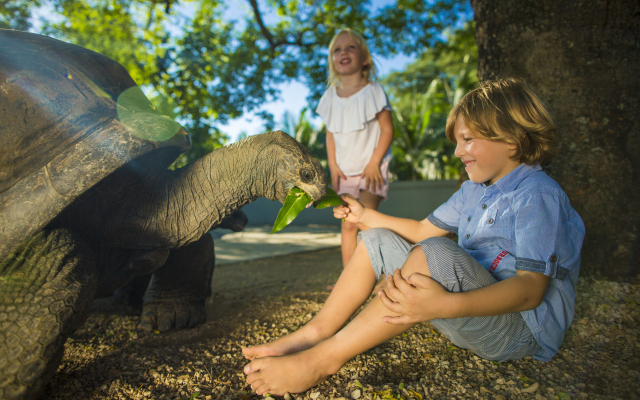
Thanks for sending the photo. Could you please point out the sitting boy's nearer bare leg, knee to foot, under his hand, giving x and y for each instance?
(300, 371)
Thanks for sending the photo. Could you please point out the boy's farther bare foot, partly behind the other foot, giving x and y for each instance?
(302, 339)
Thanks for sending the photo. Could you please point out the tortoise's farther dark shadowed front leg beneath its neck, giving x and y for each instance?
(178, 290)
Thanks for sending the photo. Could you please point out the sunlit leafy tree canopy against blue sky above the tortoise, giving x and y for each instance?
(193, 61)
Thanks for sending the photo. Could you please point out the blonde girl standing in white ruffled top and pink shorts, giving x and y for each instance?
(357, 114)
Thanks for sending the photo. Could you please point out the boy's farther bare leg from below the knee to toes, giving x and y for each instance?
(350, 292)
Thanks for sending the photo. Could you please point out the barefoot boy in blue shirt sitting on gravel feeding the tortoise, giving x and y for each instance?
(505, 291)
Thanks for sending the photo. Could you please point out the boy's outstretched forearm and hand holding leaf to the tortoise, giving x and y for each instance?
(411, 230)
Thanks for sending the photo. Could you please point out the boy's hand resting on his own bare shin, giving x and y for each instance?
(418, 298)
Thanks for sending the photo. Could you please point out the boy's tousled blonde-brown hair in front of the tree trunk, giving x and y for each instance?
(511, 111)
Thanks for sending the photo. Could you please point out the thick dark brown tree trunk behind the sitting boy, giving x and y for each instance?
(584, 58)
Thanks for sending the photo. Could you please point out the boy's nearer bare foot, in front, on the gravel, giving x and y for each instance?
(293, 373)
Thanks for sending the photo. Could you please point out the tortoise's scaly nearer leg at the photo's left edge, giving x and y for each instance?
(46, 289)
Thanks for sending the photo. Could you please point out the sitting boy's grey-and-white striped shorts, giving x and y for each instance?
(500, 338)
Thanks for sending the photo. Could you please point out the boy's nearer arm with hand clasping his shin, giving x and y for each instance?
(420, 298)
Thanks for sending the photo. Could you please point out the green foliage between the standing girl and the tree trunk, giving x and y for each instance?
(422, 96)
